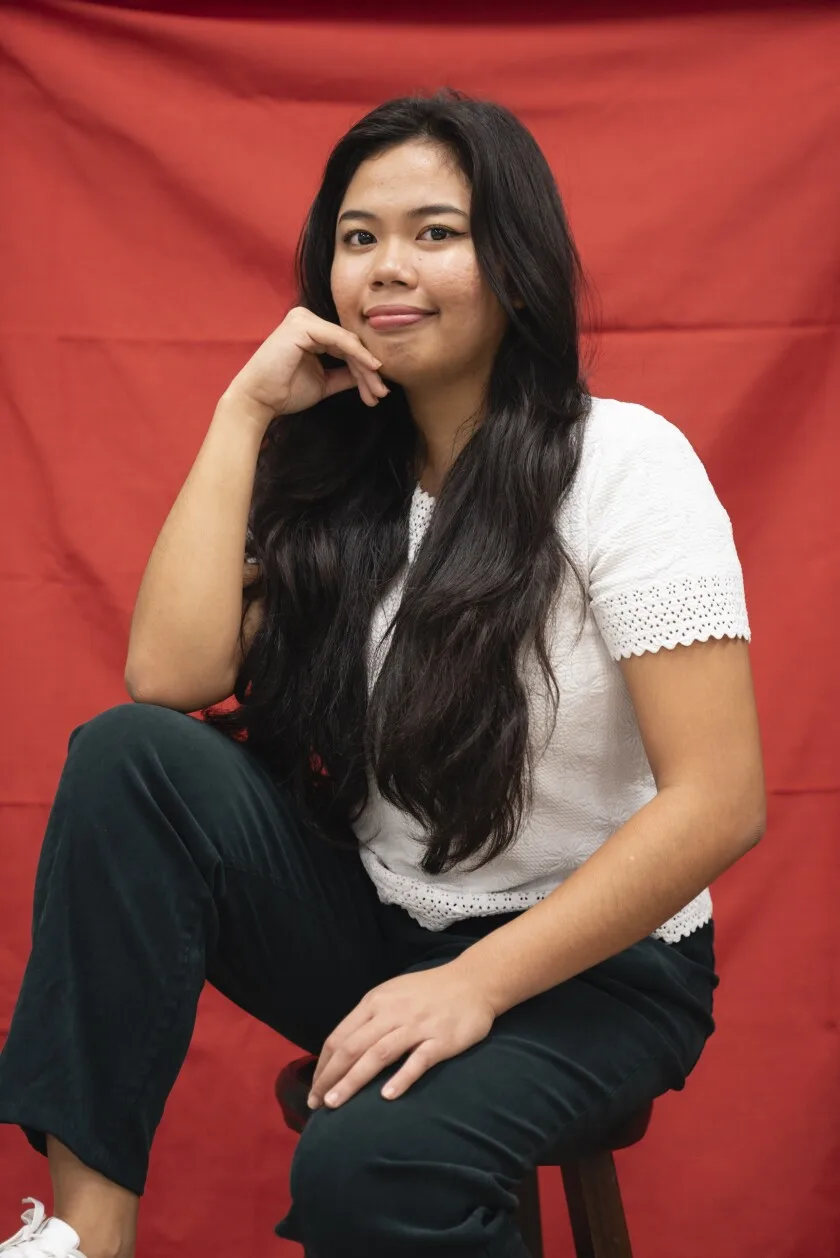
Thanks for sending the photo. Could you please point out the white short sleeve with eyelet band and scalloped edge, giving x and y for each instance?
(663, 564)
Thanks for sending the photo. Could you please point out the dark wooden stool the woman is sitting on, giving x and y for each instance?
(592, 1186)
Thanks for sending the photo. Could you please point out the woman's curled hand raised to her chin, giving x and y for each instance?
(286, 377)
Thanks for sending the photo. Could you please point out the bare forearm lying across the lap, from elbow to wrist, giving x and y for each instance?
(651, 869)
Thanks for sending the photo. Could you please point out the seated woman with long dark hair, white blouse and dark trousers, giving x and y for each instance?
(496, 737)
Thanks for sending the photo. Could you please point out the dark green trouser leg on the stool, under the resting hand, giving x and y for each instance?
(437, 1171)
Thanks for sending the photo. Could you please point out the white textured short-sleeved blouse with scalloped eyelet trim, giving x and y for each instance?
(656, 548)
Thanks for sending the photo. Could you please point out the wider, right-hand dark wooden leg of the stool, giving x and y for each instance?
(595, 1210)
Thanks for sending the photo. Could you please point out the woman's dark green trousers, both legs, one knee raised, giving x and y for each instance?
(173, 857)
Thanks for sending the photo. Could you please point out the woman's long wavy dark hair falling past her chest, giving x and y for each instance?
(446, 730)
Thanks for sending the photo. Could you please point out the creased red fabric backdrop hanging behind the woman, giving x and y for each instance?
(157, 167)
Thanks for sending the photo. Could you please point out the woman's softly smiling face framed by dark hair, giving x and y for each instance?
(403, 242)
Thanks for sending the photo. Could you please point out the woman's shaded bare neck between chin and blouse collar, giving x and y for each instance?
(447, 417)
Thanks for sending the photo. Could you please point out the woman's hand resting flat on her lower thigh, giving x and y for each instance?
(433, 1015)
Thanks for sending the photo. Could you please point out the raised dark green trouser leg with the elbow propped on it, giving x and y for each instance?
(170, 856)
